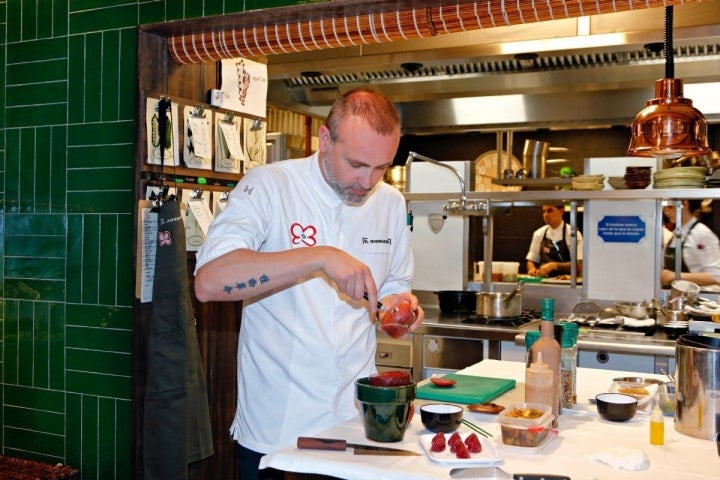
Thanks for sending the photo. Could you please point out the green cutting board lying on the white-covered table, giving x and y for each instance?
(467, 389)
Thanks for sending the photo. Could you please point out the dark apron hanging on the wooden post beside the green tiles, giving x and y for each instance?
(176, 417)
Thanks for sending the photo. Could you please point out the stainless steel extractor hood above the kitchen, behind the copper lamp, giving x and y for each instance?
(591, 81)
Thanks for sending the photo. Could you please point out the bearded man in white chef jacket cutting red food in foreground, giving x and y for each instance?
(300, 242)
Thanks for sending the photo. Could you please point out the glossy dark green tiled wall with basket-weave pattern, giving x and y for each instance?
(67, 127)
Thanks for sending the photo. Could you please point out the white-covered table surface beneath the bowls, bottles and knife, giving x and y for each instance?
(582, 434)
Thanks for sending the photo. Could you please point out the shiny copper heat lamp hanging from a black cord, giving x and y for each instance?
(669, 126)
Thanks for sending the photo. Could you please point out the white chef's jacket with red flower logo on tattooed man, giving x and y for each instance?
(301, 348)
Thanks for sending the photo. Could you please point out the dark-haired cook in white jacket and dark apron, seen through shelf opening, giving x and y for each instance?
(549, 253)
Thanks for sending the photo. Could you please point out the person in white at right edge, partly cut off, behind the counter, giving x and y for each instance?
(699, 245)
